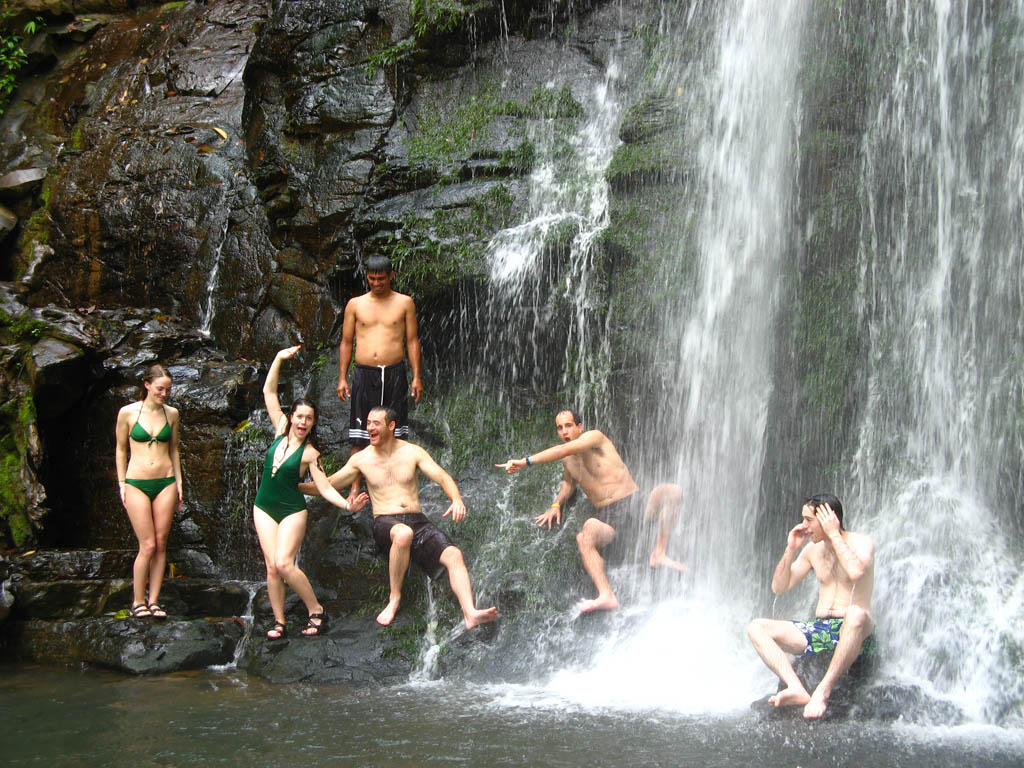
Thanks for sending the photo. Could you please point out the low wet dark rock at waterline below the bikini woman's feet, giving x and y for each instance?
(139, 647)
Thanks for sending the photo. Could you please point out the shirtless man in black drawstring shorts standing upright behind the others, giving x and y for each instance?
(381, 324)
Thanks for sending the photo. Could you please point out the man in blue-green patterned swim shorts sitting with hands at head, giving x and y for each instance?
(844, 565)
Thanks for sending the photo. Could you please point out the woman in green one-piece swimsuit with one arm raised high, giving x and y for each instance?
(280, 510)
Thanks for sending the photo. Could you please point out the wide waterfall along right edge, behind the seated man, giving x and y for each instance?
(943, 288)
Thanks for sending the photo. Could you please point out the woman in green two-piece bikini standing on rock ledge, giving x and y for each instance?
(150, 483)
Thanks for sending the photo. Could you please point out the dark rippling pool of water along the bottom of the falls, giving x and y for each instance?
(63, 717)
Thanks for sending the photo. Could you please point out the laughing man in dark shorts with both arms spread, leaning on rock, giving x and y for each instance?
(401, 529)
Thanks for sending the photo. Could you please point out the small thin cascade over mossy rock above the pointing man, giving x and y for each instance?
(545, 264)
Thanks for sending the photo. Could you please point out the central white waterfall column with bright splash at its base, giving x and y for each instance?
(690, 653)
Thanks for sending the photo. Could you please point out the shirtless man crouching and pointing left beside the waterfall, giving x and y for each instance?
(592, 463)
